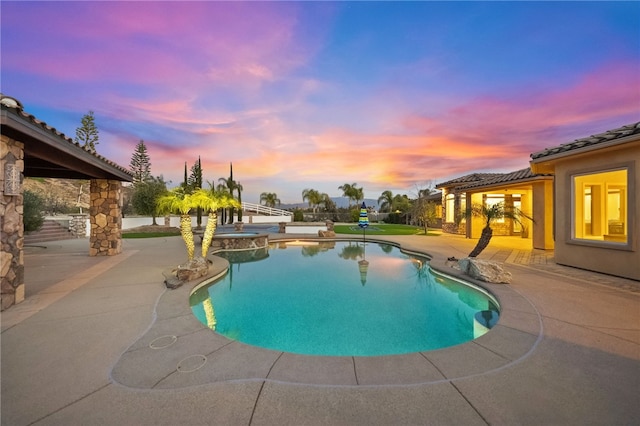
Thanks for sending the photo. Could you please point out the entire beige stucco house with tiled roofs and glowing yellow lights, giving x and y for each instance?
(582, 195)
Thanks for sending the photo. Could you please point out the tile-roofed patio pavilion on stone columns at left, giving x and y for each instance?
(31, 148)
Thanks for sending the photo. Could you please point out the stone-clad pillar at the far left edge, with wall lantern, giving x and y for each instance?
(11, 222)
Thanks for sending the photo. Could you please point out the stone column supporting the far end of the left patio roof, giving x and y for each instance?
(105, 215)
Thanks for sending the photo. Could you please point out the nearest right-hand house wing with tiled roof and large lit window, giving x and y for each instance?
(596, 201)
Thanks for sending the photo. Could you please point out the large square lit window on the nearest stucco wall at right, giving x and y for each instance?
(600, 210)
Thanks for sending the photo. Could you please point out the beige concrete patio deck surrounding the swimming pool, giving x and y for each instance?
(101, 341)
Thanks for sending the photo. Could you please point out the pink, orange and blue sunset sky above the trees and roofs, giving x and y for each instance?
(299, 95)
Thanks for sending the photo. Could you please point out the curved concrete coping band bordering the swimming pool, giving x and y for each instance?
(177, 351)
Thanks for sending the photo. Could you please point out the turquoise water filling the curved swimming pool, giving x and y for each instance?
(322, 299)
